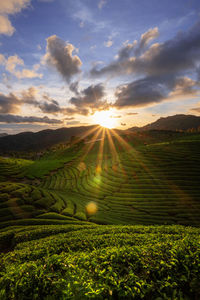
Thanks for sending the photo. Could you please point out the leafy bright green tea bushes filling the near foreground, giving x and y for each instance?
(104, 262)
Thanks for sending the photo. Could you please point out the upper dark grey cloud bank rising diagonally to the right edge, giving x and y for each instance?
(180, 54)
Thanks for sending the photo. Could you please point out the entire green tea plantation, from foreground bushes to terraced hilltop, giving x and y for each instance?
(114, 217)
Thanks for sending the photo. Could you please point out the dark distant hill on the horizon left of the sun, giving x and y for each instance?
(36, 141)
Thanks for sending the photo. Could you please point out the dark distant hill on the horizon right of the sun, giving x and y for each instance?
(177, 122)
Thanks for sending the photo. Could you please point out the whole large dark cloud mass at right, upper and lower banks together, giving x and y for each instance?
(162, 69)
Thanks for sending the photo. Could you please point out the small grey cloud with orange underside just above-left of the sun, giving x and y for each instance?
(90, 98)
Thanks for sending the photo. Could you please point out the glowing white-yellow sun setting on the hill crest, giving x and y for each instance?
(104, 118)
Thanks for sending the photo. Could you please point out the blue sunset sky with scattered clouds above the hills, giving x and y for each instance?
(119, 63)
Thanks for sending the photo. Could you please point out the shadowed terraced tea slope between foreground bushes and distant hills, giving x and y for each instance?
(123, 181)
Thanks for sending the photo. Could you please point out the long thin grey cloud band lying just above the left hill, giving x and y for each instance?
(8, 118)
